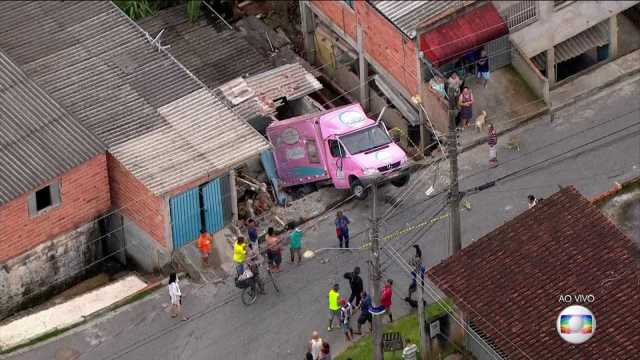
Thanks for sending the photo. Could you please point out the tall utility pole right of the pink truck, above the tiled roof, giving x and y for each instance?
(454, 191)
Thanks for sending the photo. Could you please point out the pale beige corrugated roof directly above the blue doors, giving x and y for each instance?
(197, 141)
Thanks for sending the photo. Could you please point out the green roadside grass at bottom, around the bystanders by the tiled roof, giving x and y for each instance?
(407, 326)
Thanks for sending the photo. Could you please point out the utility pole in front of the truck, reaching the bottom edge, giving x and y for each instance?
(375, 275)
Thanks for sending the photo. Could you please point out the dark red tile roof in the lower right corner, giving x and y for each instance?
(509, 282)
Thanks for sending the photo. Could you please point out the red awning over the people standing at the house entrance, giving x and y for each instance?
(462, 34)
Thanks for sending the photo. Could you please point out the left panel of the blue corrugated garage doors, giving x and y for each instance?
(185, 217)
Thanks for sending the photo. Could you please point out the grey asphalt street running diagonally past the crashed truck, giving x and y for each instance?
(588, 145)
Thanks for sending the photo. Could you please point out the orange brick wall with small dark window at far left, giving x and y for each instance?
(84, 192)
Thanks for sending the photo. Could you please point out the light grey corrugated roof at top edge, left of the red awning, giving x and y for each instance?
(407, 14)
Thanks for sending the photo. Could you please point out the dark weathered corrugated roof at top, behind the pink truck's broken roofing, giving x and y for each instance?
(214, 56)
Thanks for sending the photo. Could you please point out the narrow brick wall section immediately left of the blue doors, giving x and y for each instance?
(136, 201)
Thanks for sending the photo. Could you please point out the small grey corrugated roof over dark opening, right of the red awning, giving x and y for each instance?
(597, 35)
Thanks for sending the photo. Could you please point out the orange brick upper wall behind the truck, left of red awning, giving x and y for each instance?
(383, 41)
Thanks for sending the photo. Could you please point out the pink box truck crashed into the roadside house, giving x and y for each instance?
(341, 145)
